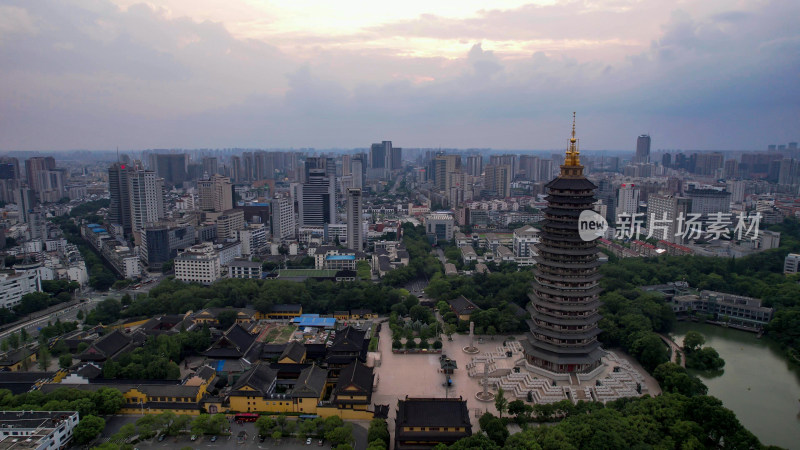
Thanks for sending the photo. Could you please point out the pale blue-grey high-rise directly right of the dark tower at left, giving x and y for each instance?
(147, 198)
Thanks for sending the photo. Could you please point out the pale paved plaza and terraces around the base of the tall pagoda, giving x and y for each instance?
(419, 375)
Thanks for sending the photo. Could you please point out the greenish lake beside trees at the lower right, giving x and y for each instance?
(757, 383)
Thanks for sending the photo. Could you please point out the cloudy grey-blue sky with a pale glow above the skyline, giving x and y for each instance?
(96, 74)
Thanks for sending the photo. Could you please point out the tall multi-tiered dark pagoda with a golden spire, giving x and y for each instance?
(565, 295)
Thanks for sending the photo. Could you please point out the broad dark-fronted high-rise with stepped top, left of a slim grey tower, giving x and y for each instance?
(317, 199)
